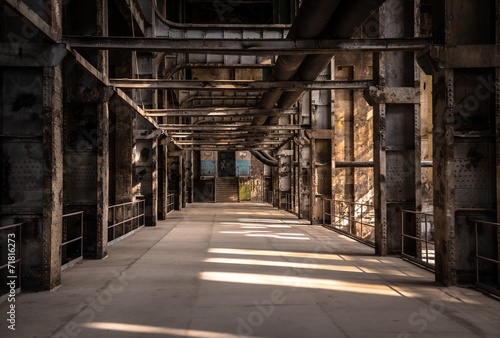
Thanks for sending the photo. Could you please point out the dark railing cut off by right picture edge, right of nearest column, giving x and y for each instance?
(490, 286)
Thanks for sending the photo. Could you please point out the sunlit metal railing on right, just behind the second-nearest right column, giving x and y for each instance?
(356, 220)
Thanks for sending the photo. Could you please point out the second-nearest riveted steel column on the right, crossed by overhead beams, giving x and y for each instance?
(397, 147)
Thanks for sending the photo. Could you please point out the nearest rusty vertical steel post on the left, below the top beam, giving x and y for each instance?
(52, 177)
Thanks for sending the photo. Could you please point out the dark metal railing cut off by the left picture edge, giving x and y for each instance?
(10, 270)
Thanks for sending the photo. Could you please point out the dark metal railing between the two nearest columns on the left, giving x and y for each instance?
(72, 239)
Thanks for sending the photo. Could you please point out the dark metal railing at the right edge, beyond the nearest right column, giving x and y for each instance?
(487, 268)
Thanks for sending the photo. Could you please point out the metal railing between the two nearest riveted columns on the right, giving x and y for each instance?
(418, 258)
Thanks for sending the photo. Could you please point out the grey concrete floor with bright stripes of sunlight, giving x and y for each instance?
(233, 270)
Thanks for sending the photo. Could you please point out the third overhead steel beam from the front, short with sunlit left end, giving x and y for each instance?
(219, 111)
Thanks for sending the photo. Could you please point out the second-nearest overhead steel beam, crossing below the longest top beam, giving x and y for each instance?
(238, 85)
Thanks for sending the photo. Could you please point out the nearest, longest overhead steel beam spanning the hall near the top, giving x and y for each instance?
(245, 46)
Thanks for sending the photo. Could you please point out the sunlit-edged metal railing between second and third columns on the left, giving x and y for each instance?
(125, 218)
